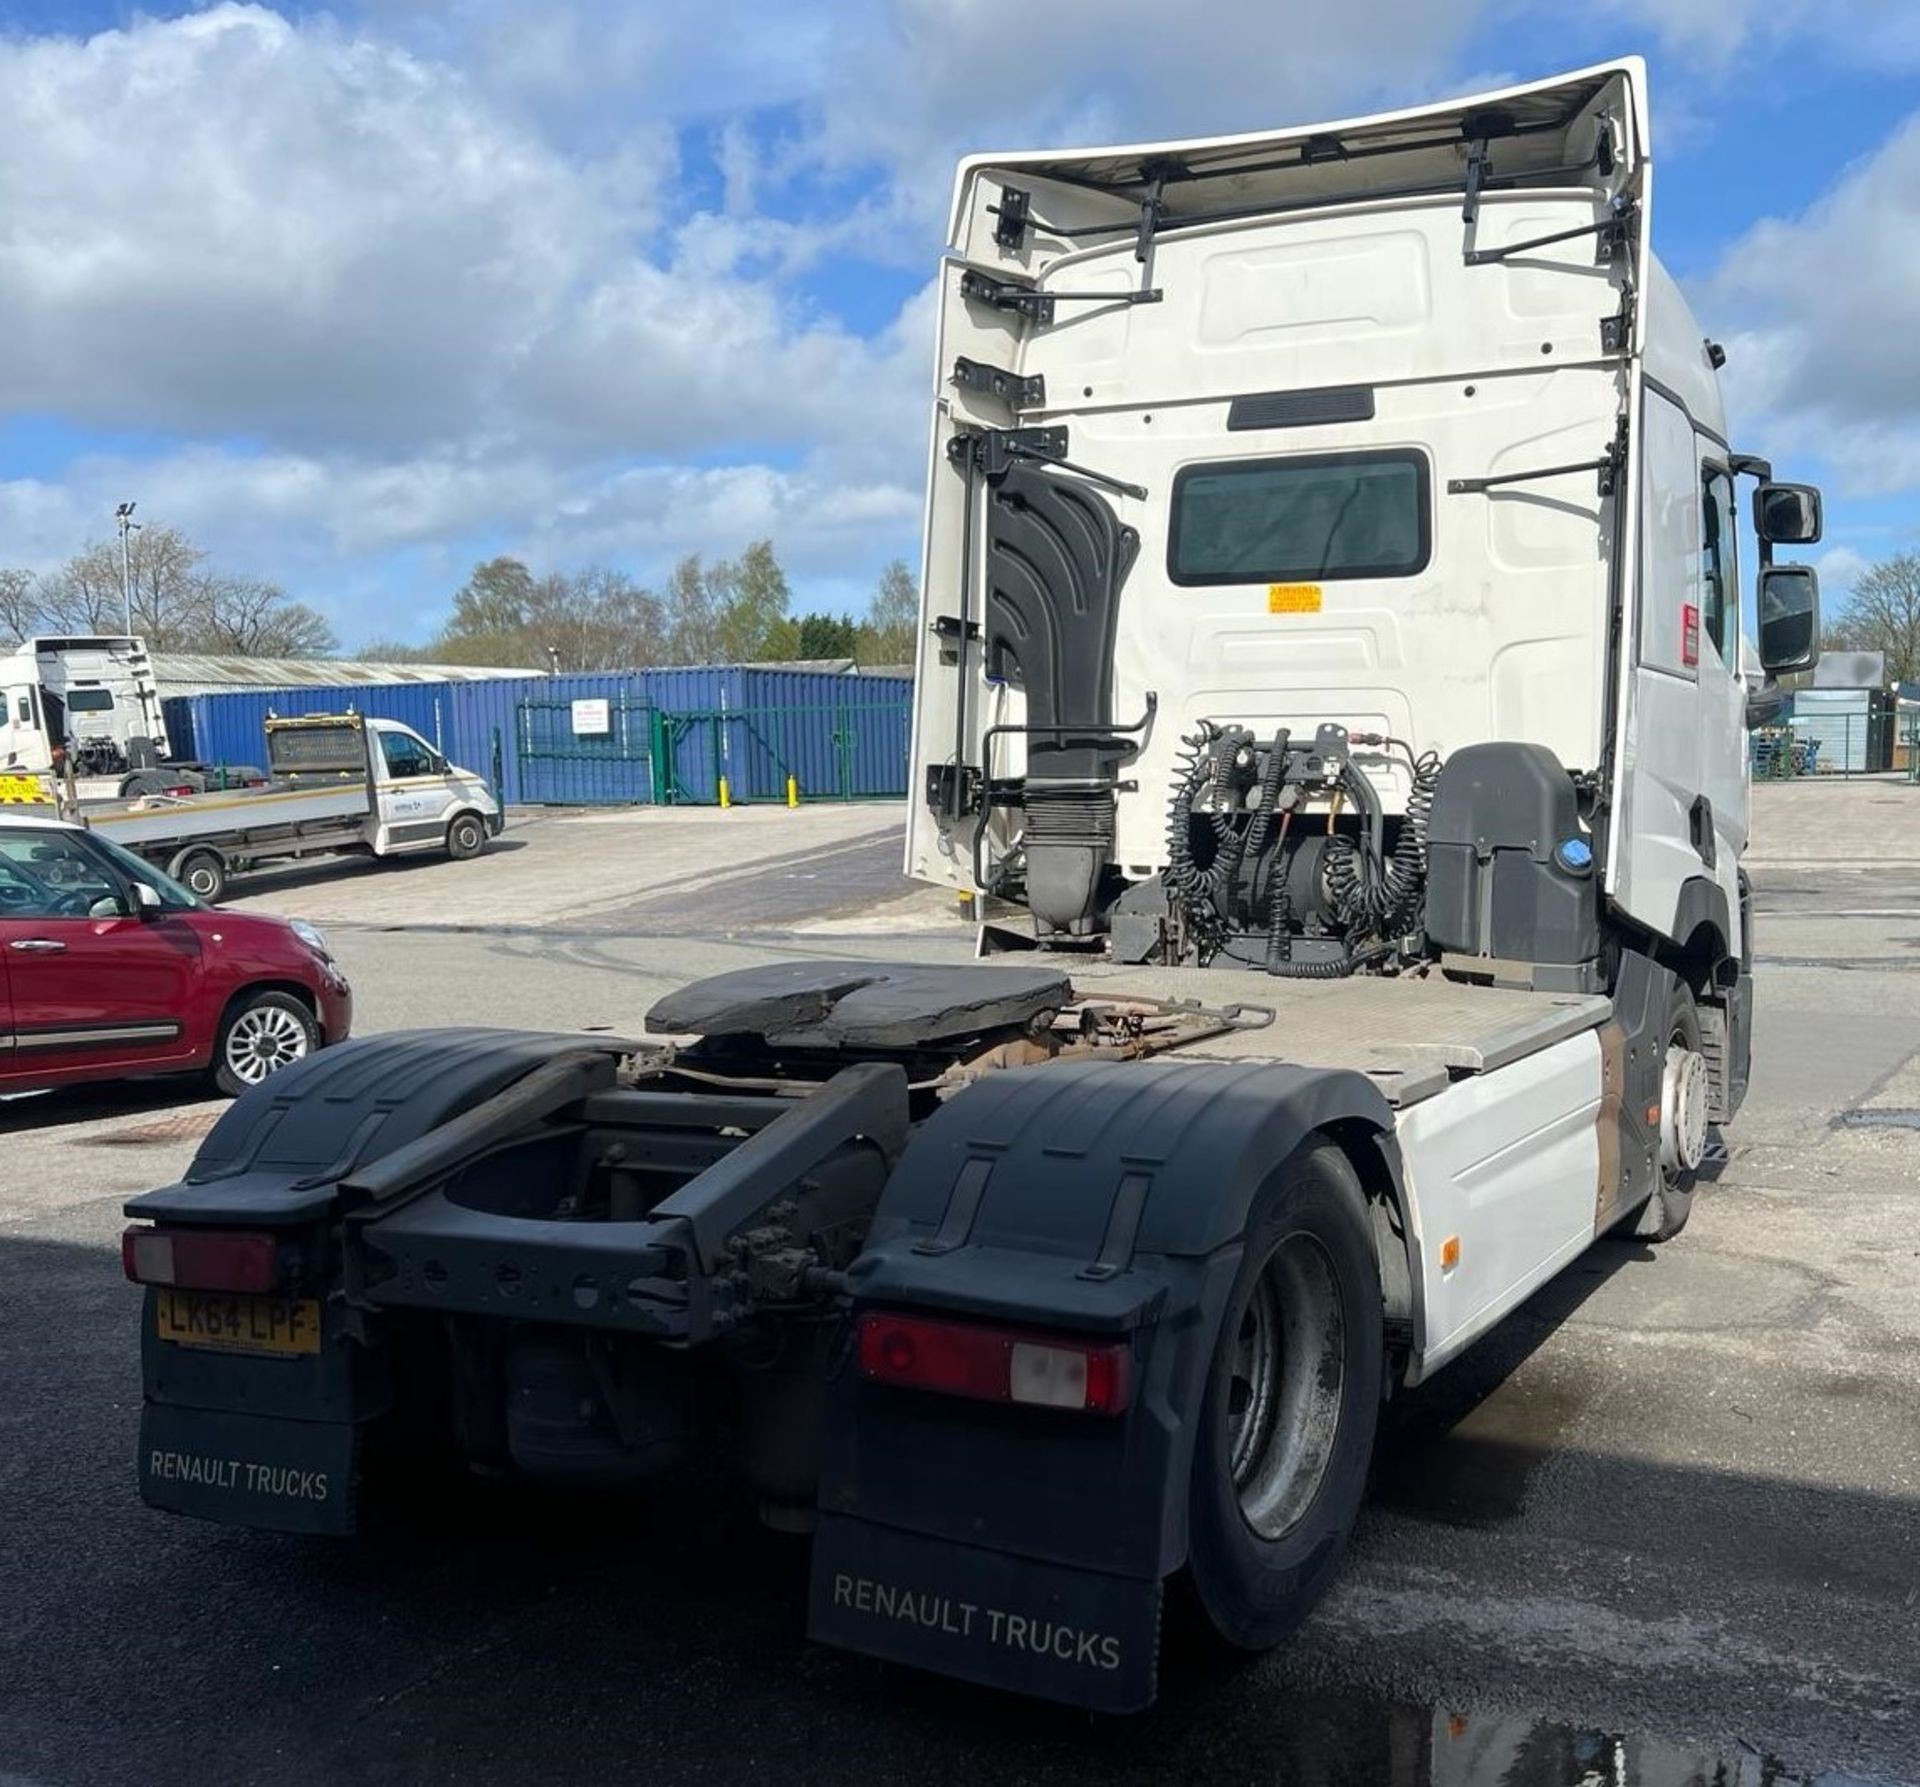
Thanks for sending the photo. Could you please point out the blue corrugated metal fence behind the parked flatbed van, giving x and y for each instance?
(615, 738)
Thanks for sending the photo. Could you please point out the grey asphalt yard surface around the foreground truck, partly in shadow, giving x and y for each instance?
(1662, 1527)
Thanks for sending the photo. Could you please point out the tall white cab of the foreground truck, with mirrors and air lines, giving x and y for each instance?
(1391, 441)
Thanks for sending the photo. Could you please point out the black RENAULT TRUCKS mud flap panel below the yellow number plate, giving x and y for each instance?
(249, 1469)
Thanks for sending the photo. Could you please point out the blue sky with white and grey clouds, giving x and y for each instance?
(362, 295)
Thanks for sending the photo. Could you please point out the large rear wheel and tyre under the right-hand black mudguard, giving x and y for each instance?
(1291, 1406)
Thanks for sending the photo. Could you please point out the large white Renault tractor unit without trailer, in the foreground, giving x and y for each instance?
(1330, 682)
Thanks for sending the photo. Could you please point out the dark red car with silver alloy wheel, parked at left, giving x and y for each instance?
(108, 970)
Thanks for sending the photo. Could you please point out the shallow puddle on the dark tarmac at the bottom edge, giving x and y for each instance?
(1337, 1742)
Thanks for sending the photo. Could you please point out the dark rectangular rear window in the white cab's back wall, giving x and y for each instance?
(1308, 517)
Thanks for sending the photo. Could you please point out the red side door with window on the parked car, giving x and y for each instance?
(95, 988)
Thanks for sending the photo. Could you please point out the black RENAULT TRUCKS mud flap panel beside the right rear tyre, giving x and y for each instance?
(1053, 1631)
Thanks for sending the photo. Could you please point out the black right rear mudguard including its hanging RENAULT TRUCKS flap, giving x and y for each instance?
(1026, 1548)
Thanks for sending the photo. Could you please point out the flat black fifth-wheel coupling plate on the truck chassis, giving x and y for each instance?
(861, 1005)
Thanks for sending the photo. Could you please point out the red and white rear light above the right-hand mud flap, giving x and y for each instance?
(997, 1366)
